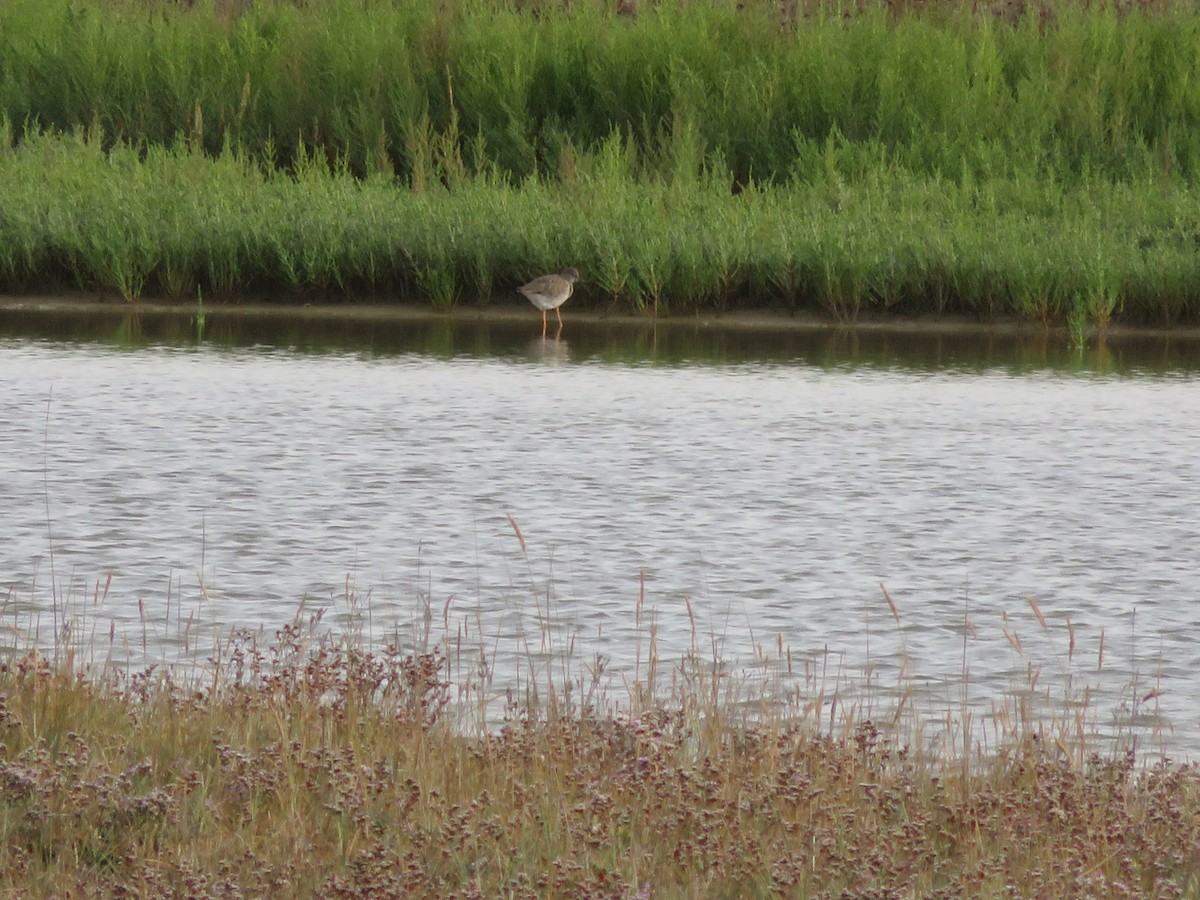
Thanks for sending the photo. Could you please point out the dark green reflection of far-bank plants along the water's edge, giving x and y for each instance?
(631, 341)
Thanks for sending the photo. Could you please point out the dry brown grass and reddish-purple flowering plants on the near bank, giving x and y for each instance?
(313, 769)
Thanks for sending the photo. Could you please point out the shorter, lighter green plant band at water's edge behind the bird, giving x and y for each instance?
(171, 220)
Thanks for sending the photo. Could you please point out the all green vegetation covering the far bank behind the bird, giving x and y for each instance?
(693, 157)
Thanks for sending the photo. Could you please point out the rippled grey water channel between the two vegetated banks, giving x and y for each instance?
(760, 490)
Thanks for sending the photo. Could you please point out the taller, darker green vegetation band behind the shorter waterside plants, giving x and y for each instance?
(1079, 92)
